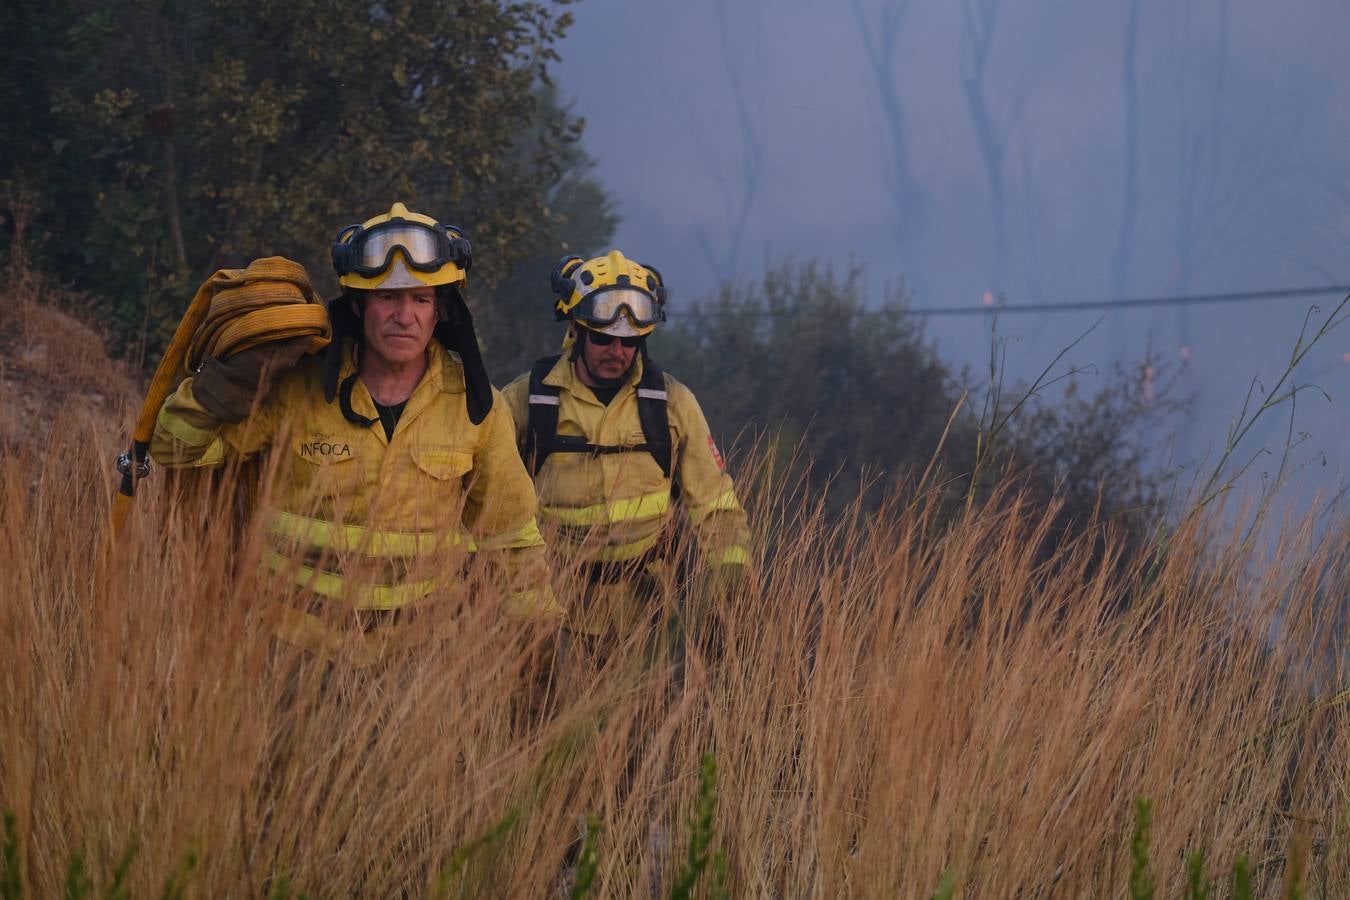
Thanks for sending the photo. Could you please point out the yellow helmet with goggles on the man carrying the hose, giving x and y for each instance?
(402, 249)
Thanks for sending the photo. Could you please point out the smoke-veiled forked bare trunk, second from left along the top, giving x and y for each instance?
(881, 38)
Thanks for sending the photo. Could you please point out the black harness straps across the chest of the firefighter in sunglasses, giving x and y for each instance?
(542, 435)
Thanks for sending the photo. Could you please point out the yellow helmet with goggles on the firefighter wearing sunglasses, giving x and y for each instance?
(611, 295)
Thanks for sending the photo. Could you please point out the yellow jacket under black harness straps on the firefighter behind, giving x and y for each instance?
(615, 507)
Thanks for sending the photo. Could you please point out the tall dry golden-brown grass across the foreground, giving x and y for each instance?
(898, 698)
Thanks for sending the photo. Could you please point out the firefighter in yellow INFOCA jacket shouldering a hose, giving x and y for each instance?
(399, 451)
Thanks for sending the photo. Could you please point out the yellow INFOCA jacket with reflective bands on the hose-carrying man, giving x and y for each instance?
(352, 500)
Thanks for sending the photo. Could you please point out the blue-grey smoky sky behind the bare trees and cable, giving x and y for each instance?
(1243, 177)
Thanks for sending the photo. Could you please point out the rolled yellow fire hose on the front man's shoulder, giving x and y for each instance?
(236, 310)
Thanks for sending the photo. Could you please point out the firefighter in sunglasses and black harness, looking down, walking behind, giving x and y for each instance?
(616, 445)
